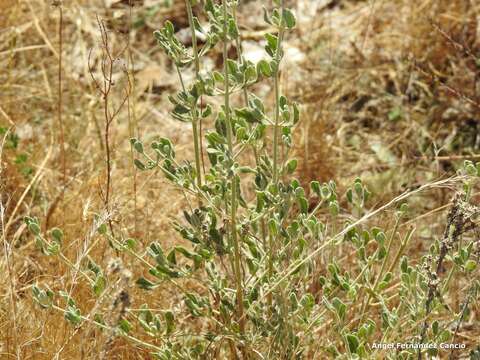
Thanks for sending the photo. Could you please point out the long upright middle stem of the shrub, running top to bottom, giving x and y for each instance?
(233, 206)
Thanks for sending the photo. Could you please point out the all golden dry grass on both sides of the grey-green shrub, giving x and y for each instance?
(390, 93)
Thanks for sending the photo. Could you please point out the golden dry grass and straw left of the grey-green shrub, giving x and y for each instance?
(29, 101)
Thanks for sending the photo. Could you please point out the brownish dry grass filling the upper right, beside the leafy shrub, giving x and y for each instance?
(397, 87)
